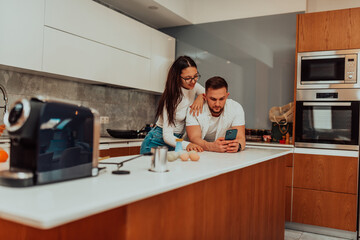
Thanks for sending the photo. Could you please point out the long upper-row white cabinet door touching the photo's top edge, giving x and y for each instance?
(91, 20)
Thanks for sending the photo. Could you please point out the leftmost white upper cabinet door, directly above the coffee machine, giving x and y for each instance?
(21, 33)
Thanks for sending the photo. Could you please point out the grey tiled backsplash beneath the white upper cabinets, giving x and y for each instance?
(126, 109)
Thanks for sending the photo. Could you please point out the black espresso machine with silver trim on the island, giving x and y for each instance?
(51, 141)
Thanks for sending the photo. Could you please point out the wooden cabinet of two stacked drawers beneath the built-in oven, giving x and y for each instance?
(325, 191)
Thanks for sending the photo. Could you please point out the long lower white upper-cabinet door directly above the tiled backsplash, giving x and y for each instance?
(70, 55)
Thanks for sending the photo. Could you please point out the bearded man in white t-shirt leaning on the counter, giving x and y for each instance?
(219, 114)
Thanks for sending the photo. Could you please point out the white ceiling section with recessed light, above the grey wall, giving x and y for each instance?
(171, 13)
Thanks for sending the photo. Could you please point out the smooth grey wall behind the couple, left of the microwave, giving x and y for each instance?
(256, 56)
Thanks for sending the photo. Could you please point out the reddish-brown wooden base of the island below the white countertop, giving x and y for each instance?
(247, 203)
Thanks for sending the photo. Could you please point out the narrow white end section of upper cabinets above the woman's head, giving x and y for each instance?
(162, 56)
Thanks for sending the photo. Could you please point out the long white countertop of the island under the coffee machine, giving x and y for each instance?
(55, 204)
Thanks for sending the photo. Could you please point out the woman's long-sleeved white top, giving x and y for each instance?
(180, 114)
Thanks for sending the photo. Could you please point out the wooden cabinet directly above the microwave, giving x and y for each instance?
(331, 30)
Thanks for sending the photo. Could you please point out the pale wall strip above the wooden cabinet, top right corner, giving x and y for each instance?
(327, 5)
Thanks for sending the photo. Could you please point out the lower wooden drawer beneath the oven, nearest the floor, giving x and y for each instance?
(326, 209)
